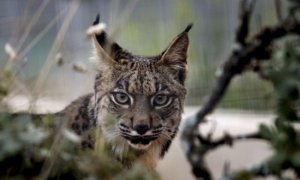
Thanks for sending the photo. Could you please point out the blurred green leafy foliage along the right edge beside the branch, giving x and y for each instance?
(284, 136)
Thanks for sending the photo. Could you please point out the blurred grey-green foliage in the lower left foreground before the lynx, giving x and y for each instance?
(32, 148)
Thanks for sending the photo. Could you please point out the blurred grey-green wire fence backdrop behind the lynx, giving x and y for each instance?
(141, 26)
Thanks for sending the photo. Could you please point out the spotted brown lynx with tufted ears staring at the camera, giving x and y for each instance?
(137, 100)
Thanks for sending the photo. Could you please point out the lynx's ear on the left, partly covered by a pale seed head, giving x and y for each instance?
(106, 50)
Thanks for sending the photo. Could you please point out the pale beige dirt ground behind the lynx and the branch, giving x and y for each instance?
(175, 166)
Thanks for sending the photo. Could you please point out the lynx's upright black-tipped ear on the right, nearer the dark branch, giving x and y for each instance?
(174, 57)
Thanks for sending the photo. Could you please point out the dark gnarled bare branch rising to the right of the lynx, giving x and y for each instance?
(247, 49)
